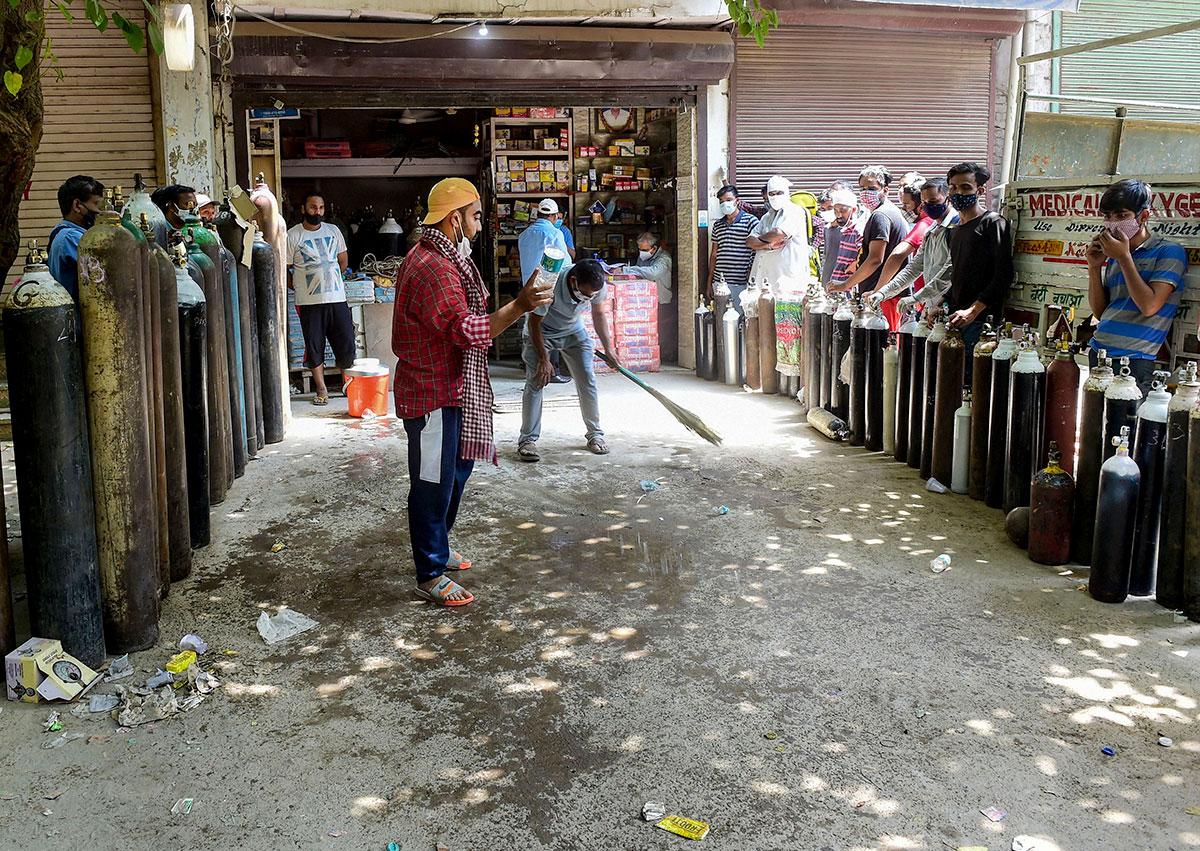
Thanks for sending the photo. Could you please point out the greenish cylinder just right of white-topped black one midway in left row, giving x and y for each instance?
(217, 355)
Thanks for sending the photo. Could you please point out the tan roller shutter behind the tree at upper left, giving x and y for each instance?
(99, 118)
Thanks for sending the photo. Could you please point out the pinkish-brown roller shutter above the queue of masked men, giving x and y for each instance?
(819, 104)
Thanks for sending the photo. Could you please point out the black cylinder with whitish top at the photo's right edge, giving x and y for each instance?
(1177, 508)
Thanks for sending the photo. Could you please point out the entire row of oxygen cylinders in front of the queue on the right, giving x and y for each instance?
(1022, 434)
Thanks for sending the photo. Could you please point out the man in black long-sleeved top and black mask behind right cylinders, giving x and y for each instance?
(981, 256)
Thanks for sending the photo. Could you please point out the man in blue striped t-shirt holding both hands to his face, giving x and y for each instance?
(1135, 281)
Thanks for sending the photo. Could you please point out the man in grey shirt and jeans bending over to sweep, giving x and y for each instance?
(560, 327)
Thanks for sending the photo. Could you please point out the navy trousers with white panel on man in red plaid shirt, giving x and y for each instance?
(437, 477)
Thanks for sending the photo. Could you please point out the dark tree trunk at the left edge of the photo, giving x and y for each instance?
(21, 121)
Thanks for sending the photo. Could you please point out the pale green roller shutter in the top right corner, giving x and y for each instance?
(1156, 70)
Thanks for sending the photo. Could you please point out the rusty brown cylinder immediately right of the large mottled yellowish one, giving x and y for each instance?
(152, 361)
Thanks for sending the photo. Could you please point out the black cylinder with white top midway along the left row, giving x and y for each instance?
(194, 374)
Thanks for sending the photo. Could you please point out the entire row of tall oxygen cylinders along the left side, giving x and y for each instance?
(133, 413)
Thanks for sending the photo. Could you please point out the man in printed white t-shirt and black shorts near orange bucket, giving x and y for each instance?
(317, 259)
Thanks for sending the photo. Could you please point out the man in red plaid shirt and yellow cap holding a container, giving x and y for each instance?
(441, 334)
